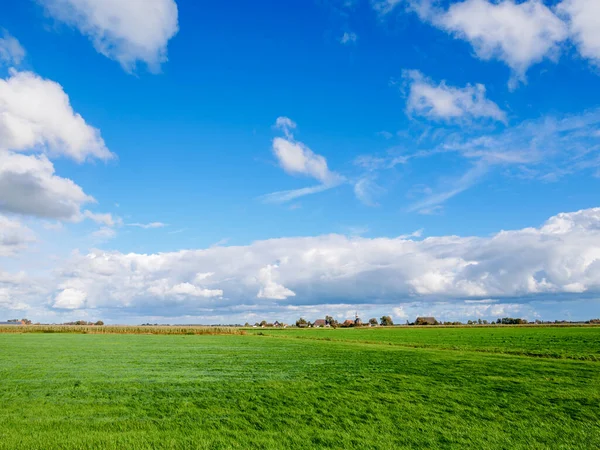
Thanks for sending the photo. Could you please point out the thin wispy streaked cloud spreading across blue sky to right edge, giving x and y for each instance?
(545, 149)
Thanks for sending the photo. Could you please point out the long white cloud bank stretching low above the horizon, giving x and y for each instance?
(561, 257)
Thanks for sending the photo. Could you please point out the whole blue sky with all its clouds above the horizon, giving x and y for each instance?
(175, 161)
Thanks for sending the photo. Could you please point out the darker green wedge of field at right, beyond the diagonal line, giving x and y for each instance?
(553, 342)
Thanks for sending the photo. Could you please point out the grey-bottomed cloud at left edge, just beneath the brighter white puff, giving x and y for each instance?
(29, 186)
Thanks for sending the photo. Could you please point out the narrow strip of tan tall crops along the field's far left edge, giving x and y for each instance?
(117, 329)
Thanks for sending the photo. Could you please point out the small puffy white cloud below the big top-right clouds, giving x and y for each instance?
(443, 102)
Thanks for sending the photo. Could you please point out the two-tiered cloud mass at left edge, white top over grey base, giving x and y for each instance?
(36, 117)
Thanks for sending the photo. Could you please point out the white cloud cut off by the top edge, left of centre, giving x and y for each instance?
(128, 31)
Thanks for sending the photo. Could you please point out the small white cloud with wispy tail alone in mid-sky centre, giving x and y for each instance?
(296, 158)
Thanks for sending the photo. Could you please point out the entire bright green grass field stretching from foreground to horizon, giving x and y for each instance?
(328, 389)
